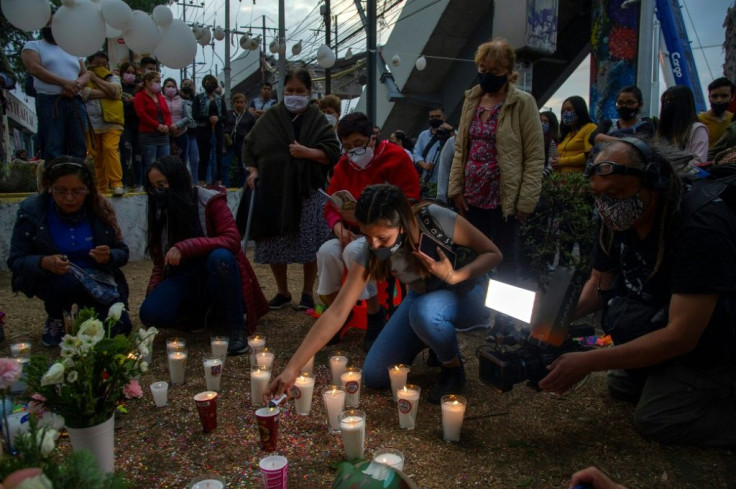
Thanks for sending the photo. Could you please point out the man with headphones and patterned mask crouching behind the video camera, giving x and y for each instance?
(665, 276)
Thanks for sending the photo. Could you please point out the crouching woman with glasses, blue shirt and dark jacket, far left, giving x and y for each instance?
(67, 248)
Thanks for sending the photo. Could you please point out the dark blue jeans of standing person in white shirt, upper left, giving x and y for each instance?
(62, 122)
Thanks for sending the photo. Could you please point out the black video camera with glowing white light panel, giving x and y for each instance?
(515, 356)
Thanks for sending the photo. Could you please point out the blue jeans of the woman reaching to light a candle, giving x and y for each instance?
(423, 320)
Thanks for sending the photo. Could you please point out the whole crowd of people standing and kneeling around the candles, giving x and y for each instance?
(668, 303)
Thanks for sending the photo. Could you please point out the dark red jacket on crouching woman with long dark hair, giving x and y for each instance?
(221, 232)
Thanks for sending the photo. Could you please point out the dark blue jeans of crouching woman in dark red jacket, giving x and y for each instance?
(192, 287)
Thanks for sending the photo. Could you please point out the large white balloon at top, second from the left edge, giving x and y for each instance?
(66, 28)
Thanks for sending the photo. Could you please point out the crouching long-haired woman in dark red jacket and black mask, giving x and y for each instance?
(198, 265)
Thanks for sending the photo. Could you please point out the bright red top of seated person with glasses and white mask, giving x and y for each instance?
(390, 164)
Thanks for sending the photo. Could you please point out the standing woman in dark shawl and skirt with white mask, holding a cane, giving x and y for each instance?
(289, 153)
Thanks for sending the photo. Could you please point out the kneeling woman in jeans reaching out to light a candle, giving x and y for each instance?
(440, 298)
